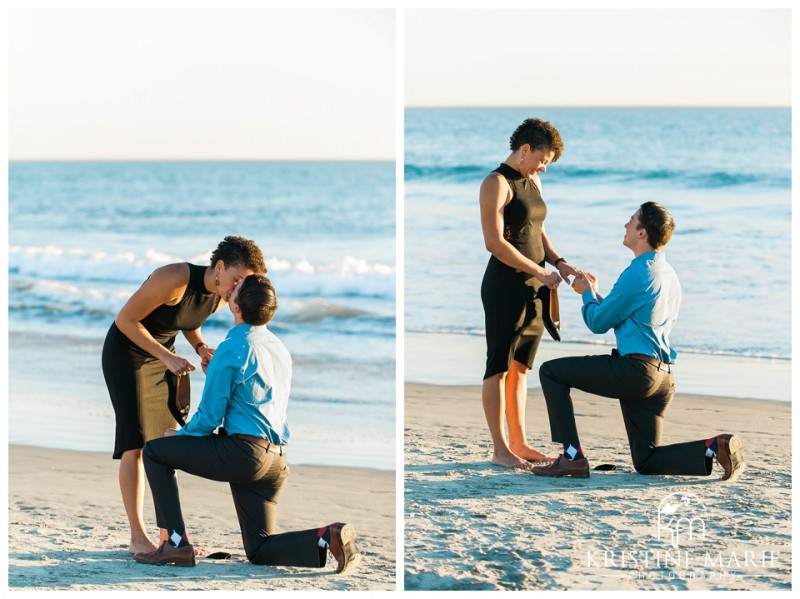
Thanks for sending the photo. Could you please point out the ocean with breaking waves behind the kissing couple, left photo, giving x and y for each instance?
(83, 236)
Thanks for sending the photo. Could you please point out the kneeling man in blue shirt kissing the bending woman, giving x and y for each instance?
(247, 390)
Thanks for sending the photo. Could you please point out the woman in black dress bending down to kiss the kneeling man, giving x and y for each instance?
(140, 348)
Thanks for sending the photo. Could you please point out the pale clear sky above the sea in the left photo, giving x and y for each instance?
(202, 84)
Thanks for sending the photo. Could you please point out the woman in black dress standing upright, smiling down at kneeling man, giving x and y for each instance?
(512, 219)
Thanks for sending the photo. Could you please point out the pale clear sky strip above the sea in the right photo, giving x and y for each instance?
(601, 57)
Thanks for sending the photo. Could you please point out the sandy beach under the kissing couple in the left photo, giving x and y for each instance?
(67, 528)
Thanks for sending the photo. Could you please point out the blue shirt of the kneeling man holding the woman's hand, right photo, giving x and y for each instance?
(642, 307)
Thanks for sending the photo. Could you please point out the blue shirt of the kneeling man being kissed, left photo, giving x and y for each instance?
(247, 387)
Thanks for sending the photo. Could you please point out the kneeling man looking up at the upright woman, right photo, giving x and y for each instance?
(641, 308)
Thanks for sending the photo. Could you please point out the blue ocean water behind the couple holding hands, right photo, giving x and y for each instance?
(724, 174)
